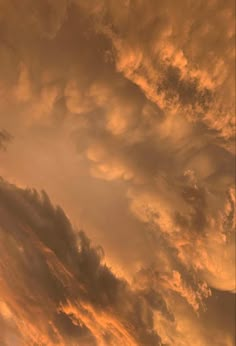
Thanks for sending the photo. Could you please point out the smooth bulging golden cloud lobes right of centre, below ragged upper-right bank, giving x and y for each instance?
(172, 181)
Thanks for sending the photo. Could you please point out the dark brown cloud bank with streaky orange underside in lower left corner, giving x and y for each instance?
(55, 275)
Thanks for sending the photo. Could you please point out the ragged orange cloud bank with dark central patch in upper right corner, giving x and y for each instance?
(183, 66)
